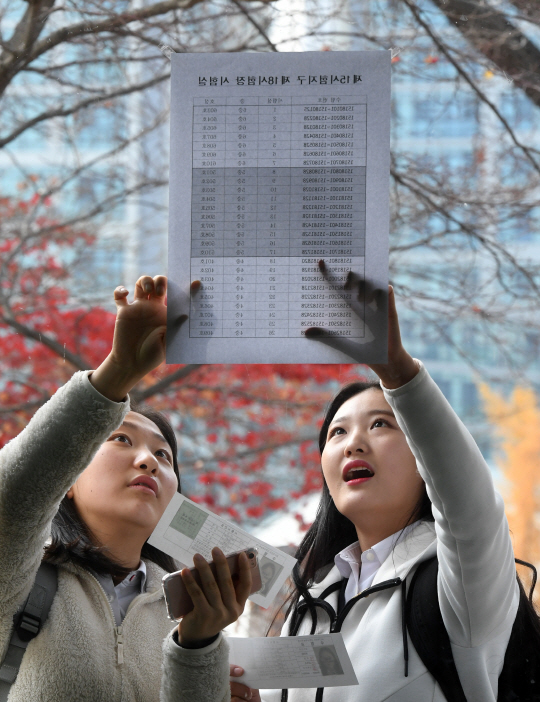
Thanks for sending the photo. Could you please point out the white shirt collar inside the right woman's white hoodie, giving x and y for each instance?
(362, 567)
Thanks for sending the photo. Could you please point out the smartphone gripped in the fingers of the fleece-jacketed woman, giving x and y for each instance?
(177, 598)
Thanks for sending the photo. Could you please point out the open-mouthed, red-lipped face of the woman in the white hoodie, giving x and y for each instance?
(368, 466)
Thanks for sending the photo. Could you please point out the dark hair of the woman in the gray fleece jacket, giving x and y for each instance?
(71, 539)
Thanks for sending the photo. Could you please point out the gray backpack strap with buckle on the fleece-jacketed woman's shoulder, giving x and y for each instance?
(27, 624)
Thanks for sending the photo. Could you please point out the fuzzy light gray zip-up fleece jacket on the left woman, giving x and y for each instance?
(80, 654)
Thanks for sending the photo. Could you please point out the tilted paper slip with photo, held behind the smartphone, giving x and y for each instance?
(187, 528)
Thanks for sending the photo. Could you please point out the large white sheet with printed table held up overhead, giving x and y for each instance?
(278, 161)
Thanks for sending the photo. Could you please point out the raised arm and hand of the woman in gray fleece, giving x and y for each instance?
(44, 460)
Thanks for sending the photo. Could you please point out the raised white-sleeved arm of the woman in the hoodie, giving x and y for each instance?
(477, 579)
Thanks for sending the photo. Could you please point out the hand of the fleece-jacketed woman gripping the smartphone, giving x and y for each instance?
(218, 603)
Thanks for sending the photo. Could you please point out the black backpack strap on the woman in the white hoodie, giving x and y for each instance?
(427, 631)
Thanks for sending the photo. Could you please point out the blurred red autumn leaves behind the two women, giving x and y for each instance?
(247, 433)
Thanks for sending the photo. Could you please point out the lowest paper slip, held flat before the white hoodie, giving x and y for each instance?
(292, 661)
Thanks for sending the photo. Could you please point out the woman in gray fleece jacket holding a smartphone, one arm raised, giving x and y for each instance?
(107, 636)
